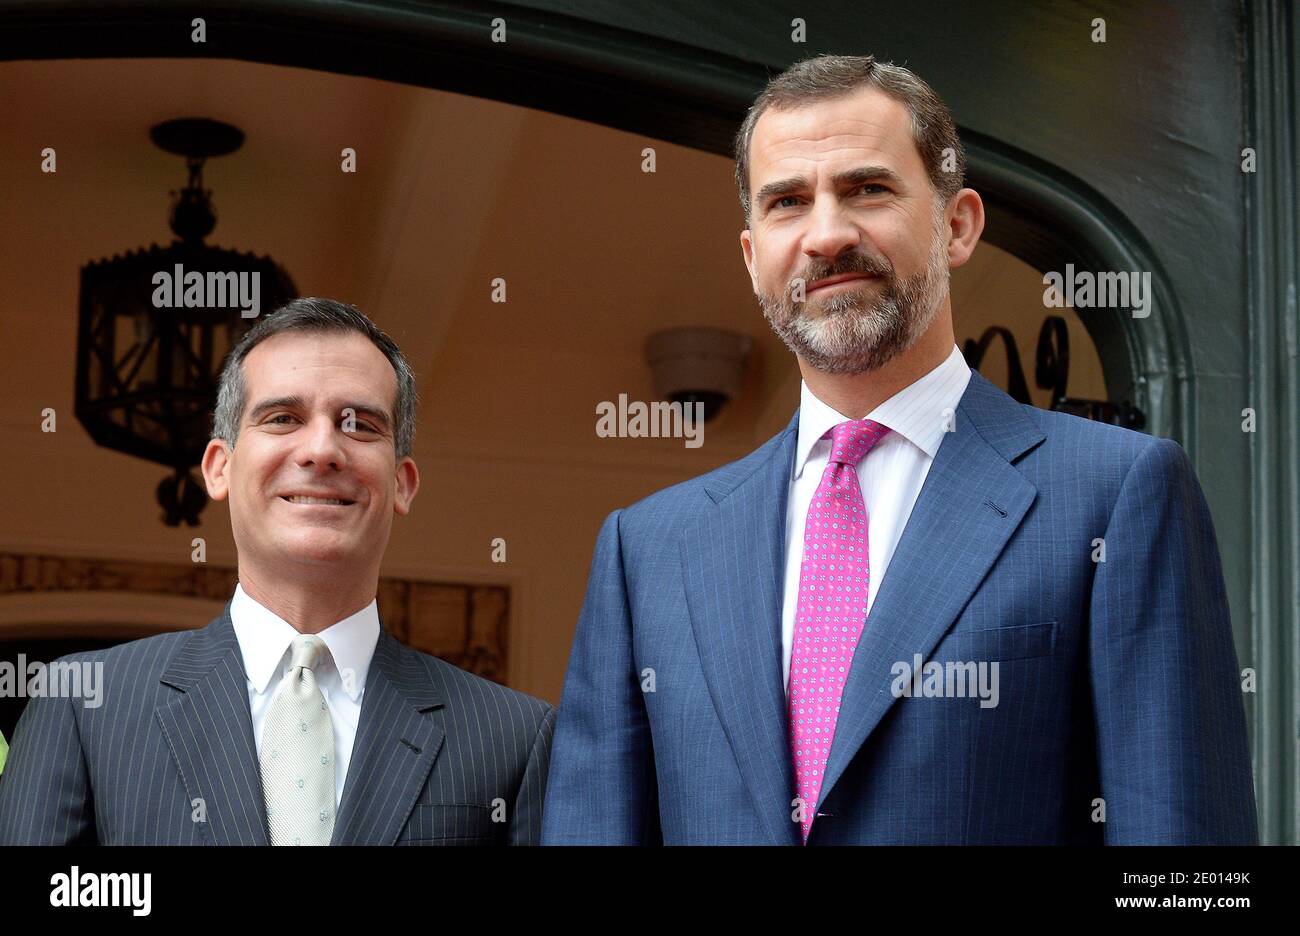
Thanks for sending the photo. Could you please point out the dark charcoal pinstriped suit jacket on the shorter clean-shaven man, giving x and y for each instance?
(435, 748)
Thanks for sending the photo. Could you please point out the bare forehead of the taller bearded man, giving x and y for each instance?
(864, 127)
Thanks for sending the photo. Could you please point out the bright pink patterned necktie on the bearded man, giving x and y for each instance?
(833, 606)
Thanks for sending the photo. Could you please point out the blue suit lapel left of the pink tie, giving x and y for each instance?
(734, 562)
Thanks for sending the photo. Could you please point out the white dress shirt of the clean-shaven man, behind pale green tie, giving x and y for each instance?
(266, 640)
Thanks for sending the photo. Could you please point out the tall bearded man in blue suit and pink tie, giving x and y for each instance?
(924, 613)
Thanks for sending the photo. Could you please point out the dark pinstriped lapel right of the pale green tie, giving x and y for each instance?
(398, 739)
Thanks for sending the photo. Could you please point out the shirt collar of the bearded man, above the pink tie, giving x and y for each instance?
(915, 414)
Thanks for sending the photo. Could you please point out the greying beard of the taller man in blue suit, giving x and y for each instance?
(853, 333)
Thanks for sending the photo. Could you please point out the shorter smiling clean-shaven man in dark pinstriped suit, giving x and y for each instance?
(293, 718)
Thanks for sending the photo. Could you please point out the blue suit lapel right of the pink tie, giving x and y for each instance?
(972, 504)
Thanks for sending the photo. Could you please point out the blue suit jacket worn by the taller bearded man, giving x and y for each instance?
(1119, 681)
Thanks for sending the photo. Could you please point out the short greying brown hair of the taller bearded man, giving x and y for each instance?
(827, 77)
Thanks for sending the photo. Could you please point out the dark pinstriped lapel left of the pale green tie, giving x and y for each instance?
(209, 730)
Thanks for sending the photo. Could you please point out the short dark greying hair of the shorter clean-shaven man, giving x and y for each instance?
(314, 315)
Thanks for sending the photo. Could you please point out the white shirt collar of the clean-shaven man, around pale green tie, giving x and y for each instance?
(265, 640)
